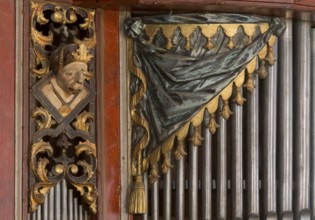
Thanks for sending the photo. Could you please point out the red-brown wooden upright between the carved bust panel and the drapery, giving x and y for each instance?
(111, 127)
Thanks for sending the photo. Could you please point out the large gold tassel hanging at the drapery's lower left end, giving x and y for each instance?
(138, 203)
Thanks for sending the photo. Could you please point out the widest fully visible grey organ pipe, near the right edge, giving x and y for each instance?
(302, 118)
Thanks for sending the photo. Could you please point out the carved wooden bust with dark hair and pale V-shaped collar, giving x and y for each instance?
(66, 89)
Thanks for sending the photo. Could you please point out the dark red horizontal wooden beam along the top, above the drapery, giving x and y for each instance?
(264, 7)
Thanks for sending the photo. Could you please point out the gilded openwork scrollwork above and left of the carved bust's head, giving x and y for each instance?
(58, 23)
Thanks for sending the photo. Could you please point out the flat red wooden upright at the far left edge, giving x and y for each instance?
(7, 79)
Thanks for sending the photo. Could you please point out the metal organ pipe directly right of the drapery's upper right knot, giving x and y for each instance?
(285, 122)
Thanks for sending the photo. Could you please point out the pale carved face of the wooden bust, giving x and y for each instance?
(72, 76)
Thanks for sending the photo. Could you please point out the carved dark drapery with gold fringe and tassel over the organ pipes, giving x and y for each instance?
(181, 66)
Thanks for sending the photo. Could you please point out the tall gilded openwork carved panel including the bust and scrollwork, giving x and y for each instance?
(62, 101)
